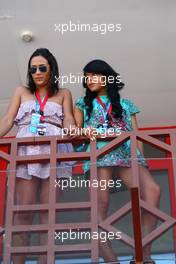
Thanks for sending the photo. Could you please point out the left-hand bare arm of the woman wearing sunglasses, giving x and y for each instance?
(6, 123)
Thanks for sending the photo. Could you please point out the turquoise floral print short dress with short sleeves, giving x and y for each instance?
(120, 156)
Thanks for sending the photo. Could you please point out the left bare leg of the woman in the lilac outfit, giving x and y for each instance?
(26, 191)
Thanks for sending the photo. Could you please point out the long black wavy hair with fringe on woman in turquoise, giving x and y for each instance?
(101, 67)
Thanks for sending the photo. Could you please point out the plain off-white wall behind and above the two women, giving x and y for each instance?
(143, 52)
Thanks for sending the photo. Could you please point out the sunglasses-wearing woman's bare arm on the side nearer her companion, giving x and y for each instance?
(68, 110)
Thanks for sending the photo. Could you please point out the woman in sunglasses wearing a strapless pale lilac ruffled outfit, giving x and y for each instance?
(40, 108)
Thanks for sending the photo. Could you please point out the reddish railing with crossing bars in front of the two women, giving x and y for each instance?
(107, 224)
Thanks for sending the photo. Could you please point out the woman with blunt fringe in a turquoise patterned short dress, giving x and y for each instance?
(102, 108)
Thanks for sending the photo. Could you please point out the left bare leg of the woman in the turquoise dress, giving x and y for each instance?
(103, 204)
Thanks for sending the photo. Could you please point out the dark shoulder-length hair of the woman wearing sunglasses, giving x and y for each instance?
(53, 86)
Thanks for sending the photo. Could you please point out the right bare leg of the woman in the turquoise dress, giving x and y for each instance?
(150, 192)
